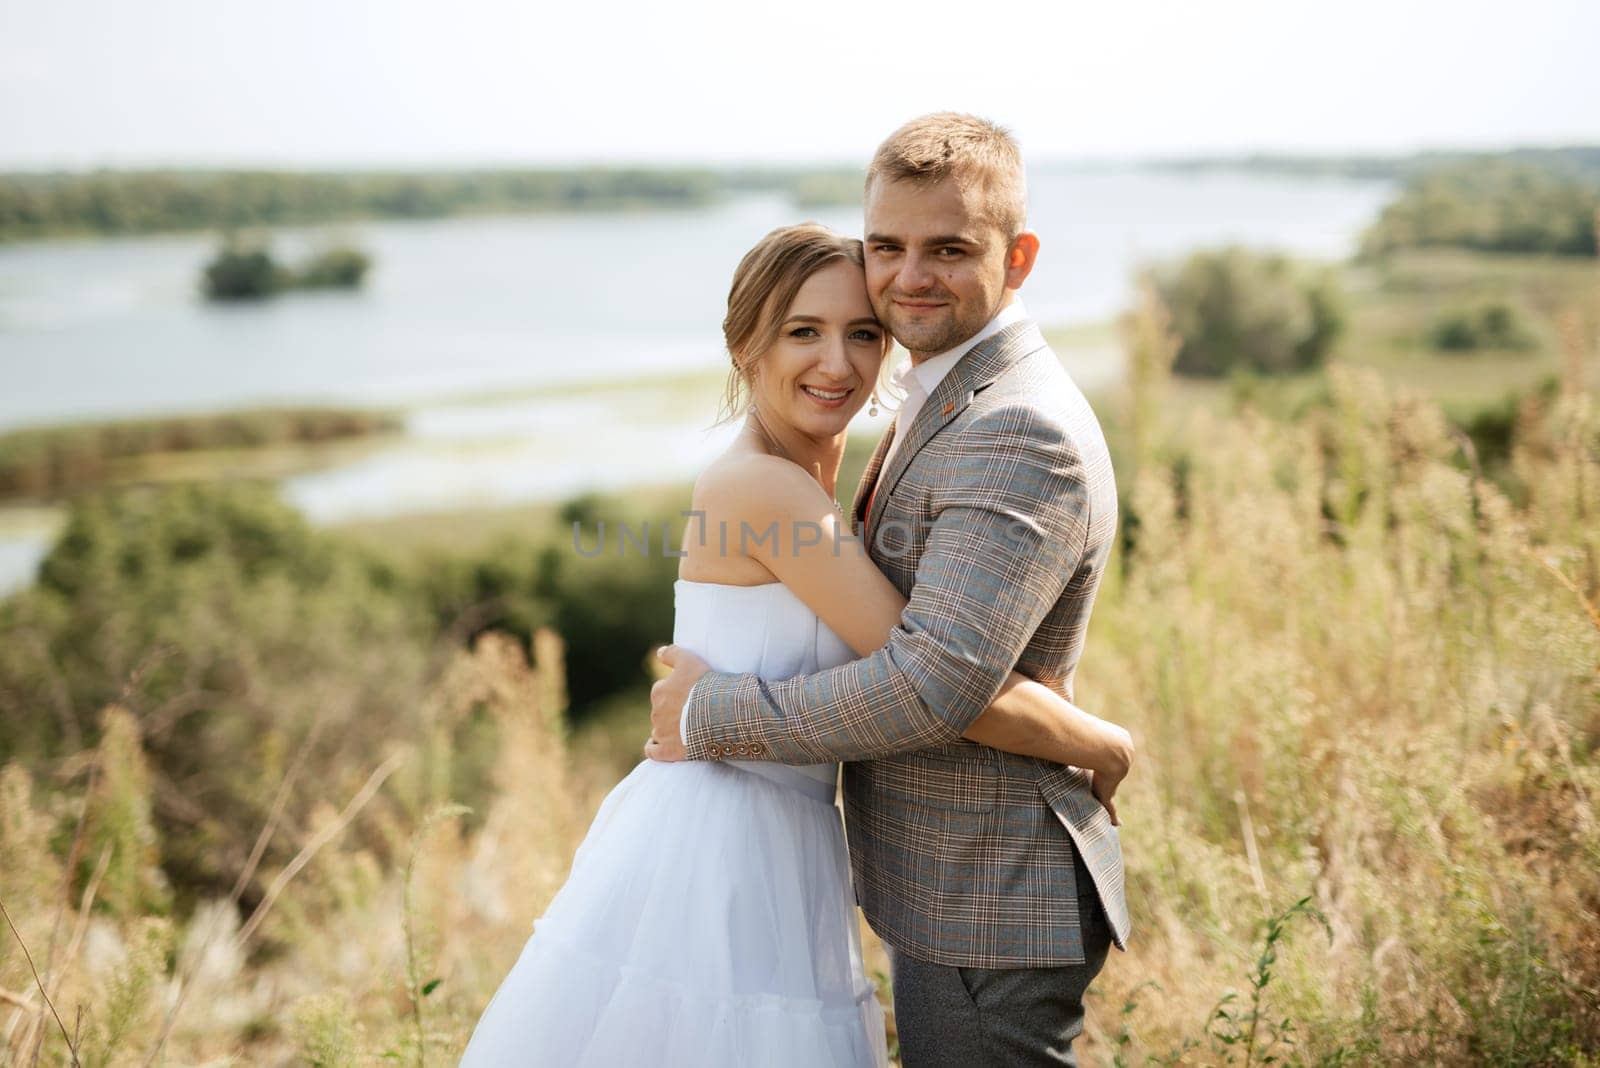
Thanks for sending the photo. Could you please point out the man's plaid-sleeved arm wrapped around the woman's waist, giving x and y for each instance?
(1010, 527)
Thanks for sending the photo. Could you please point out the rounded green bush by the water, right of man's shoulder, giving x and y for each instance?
(1242, 311)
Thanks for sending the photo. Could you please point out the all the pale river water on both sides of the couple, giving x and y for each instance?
(460, 309)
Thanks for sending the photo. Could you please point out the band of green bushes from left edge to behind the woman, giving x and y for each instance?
(244, 642)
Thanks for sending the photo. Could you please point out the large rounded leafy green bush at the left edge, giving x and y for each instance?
(234, 636)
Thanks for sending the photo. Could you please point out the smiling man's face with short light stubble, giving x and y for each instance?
(937, 263)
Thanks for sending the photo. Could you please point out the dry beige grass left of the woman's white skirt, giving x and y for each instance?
(340, 965)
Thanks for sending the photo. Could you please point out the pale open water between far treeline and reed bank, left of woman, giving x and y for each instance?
(113, 329)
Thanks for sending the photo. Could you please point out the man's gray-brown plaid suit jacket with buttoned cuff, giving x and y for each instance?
(996, 520)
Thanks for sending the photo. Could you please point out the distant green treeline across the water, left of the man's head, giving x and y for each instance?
(145, 202)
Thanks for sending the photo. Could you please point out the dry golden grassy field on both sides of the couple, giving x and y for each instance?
(1364, 674)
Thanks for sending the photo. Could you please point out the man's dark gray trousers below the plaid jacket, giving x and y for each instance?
(967, 1018)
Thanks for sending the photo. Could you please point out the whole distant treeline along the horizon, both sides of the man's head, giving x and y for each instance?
(145, 202)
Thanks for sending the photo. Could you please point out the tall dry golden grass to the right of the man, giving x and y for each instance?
(1361, 675)
